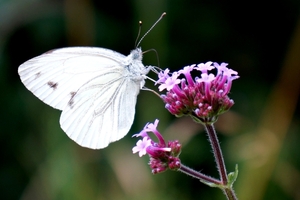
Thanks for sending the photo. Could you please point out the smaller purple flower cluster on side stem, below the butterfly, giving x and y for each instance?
(163, 155)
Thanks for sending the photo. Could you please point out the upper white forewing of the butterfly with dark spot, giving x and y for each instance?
(55, 75)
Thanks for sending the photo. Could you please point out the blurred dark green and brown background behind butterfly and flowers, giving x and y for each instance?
(261, 133)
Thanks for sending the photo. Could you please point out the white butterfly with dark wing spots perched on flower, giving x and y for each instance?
(96, 89)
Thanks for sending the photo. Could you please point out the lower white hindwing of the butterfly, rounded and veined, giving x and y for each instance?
(101, 112)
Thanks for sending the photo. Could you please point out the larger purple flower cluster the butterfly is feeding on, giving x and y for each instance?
(203, 98)
